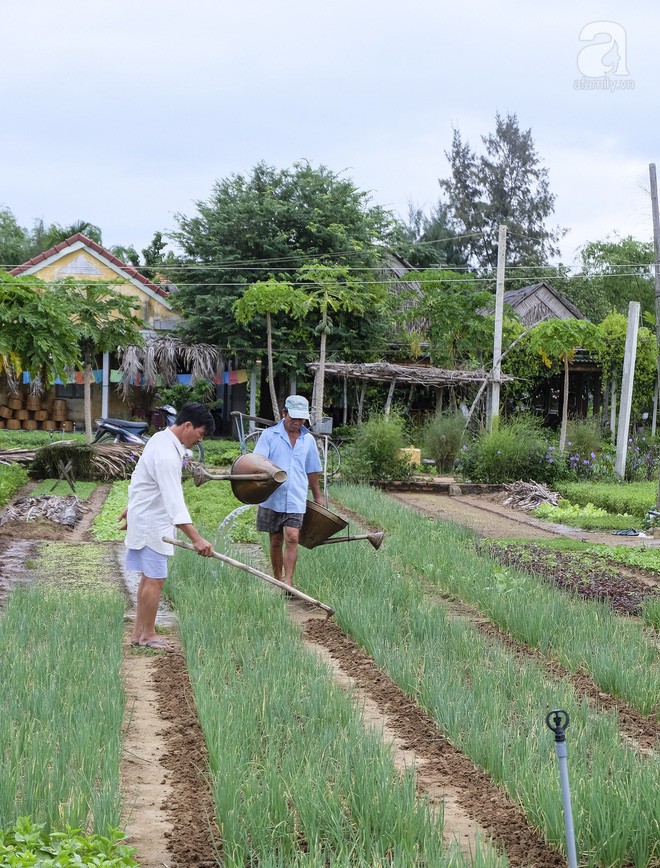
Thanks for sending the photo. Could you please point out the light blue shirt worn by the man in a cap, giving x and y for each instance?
(298, 461)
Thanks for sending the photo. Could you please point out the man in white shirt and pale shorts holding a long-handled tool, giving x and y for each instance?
(156, 508)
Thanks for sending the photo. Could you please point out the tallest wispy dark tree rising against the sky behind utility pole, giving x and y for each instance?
(505, 185)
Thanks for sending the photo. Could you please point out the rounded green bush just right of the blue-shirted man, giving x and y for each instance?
(375, 453)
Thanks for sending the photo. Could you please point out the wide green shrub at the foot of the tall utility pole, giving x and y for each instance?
(518, 450)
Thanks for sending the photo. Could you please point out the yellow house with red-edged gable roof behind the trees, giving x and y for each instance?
(80, 257)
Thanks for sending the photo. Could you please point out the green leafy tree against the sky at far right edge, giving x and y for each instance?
(614, 272)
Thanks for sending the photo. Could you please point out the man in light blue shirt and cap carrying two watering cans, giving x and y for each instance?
(292, 447)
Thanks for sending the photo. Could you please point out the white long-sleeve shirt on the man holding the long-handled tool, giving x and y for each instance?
(155, 496)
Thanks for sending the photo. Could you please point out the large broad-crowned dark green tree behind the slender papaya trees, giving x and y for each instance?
(267, 223)
